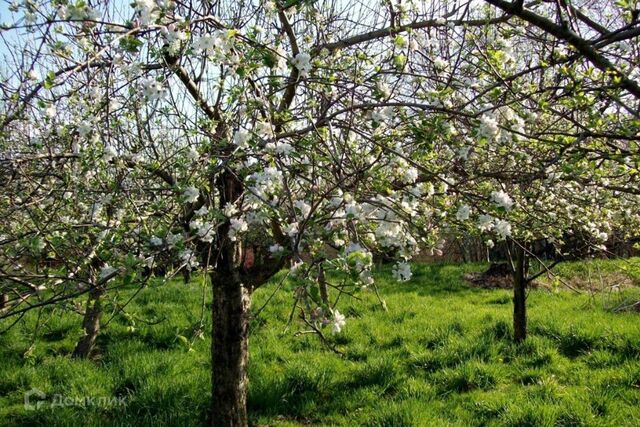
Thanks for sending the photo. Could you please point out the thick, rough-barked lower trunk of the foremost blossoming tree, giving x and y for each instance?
(230, 355)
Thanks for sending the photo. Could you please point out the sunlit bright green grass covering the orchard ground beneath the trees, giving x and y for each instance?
(440, 355)
